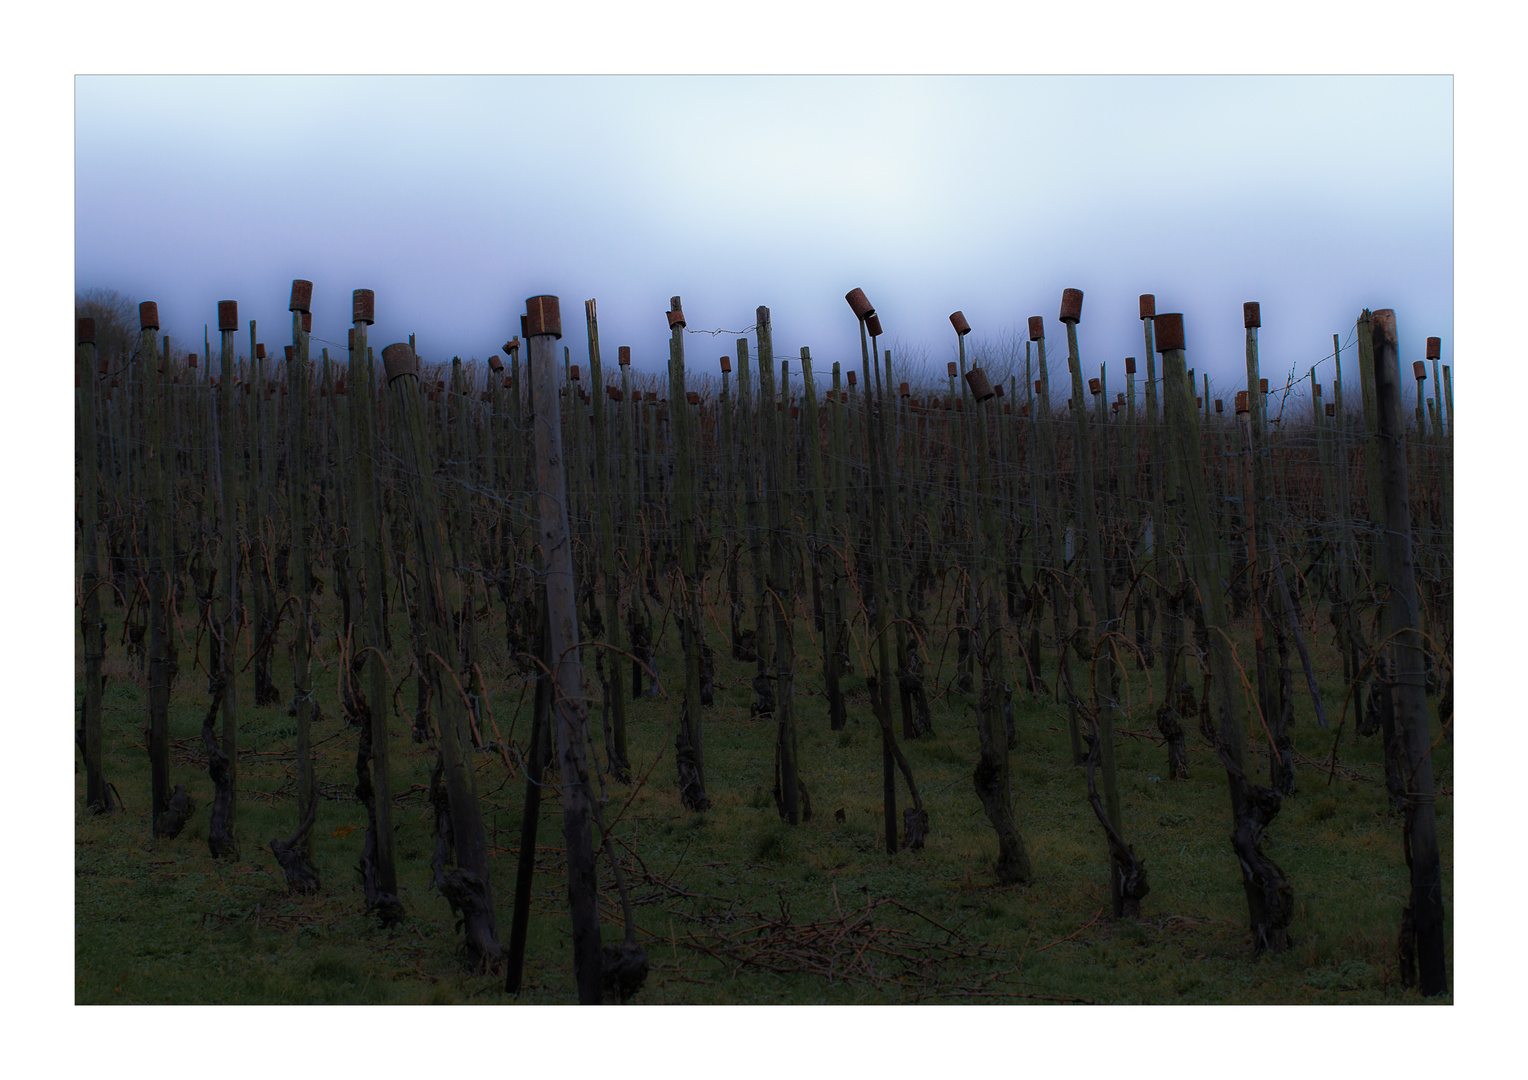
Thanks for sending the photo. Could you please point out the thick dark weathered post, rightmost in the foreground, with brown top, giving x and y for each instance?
(1423, 920)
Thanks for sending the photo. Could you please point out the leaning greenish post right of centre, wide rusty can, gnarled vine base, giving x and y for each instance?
(1271, 901)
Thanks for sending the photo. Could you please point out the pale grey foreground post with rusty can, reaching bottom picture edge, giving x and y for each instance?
(571, 710)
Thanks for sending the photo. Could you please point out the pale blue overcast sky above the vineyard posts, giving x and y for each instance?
(459, 198)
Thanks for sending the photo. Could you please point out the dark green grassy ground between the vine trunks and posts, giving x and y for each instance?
(733, 905)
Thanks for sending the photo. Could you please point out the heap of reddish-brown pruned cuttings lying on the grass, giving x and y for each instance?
(853, 948)
